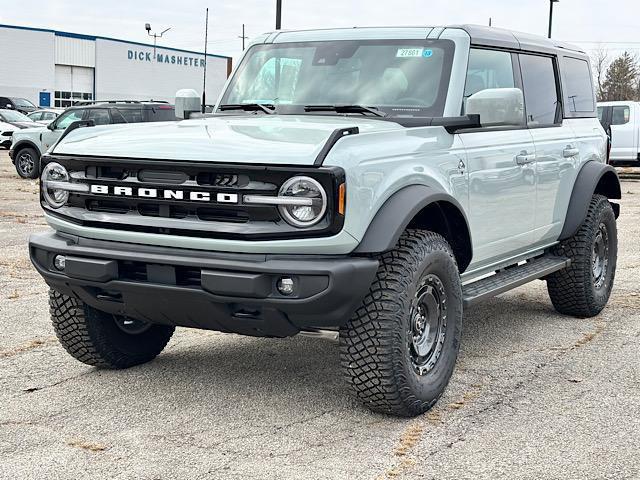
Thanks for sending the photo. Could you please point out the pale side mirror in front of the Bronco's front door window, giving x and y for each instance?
(497, 106)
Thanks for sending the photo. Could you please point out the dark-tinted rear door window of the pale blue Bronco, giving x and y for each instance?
(540, 90)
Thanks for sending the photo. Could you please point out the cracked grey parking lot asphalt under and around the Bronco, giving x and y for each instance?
(534, 395)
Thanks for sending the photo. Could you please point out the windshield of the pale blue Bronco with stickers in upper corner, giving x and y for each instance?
(398, 77)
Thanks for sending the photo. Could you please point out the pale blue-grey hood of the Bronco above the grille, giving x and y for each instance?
(277, 139)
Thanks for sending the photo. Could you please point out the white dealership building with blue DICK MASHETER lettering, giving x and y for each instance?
(52, 68)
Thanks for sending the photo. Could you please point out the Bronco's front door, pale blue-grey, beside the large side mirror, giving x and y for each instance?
(501, 167)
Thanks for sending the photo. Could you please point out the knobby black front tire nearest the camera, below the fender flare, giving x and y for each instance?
(376, 343)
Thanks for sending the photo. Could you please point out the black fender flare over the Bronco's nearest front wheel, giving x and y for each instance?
(397, 212)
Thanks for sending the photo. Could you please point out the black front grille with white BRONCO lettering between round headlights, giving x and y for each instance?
(128, 206)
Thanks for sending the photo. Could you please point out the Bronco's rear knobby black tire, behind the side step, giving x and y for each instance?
(577, 290)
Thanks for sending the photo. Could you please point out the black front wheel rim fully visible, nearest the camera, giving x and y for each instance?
(427, 324)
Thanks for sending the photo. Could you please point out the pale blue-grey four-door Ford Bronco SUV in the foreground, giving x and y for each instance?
(367, 183)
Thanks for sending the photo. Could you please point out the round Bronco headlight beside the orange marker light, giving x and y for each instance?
(304, 188)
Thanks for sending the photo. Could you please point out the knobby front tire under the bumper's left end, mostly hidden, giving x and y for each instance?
(94, 338)
